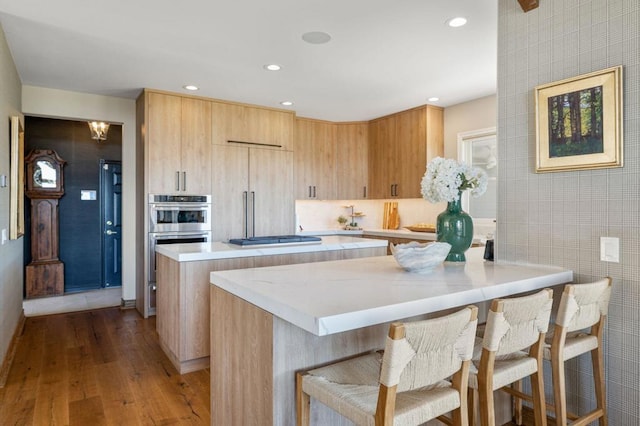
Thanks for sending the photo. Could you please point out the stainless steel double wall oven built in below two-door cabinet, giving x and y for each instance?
(175, 219)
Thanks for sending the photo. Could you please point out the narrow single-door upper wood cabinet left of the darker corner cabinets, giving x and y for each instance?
(352, 160)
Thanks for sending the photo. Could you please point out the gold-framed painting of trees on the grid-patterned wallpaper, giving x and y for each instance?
(579, 122)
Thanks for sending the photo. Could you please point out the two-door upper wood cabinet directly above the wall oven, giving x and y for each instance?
(177, 144)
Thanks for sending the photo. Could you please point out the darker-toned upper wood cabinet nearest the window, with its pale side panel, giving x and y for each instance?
(400, 145)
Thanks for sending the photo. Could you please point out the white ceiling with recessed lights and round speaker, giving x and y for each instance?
(384, 55)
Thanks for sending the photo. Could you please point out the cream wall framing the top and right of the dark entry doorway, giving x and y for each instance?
(63, 104)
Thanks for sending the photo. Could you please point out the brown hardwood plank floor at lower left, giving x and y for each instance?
(101, 367)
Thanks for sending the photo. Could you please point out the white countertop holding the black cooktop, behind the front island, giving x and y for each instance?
(192, 252)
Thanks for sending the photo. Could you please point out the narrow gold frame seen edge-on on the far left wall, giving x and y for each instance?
(16, 203)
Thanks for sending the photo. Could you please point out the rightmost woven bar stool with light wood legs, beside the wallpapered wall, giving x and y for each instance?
(578, 329)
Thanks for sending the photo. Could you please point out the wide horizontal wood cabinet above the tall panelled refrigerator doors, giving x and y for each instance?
(269, 128)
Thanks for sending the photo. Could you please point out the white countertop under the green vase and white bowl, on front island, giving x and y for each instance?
(332, 297)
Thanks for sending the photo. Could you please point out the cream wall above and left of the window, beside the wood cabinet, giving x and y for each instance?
(465, 117)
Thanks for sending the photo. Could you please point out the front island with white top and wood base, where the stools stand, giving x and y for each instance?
(268, 323)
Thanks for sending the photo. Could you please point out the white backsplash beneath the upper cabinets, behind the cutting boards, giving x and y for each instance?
(314, 215)
